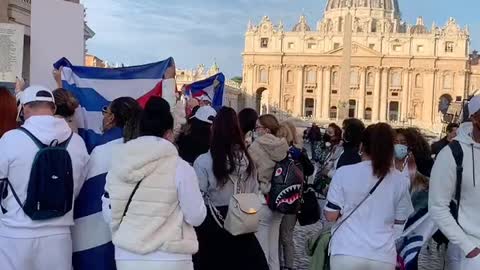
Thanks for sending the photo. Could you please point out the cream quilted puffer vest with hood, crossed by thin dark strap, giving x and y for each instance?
(154, 220)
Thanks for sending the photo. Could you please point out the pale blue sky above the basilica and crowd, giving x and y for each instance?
(195, 32)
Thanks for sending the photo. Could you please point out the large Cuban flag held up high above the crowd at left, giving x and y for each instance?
(96, 88)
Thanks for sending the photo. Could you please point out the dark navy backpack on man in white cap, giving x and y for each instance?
(50, 188)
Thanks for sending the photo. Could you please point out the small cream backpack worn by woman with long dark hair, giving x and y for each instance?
(242, 216)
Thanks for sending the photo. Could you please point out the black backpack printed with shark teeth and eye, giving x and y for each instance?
(287, 186)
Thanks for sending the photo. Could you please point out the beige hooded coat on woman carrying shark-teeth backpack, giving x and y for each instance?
(266, 151)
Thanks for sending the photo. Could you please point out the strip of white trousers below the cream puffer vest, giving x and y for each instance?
(154, 265)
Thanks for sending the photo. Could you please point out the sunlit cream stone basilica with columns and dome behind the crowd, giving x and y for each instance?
(399, 73)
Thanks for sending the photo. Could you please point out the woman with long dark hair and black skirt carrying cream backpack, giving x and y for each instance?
(226, 164)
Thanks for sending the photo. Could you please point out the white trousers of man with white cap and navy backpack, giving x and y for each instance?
(43, 253)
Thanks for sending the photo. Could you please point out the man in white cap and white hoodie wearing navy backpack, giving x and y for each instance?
(30, 239)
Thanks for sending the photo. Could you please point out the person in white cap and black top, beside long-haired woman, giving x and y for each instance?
(194, 140)
